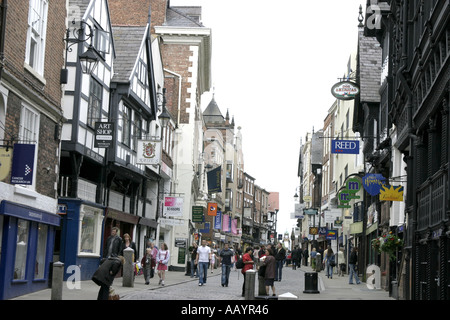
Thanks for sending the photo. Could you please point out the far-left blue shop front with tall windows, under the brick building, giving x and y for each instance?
(27, 238)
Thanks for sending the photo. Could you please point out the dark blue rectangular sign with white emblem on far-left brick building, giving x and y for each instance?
(23, 164)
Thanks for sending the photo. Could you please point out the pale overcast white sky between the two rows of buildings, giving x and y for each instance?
(273, 66)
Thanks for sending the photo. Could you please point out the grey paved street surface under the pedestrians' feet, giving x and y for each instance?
(293, 284)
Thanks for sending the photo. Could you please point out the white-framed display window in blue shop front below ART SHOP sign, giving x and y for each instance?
(90, 230)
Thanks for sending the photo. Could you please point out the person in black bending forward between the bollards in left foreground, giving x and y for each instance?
(105, 274)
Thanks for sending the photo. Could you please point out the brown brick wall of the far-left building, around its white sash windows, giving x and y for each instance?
(44, 97)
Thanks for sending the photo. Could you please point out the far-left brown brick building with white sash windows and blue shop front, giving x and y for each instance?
(31, 57)
